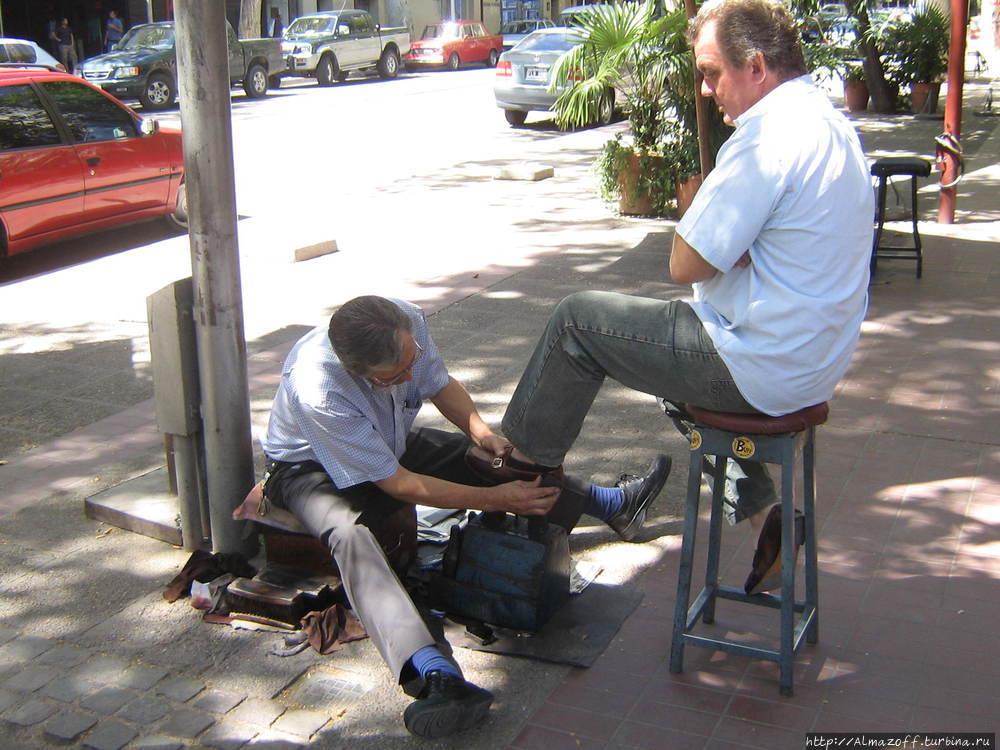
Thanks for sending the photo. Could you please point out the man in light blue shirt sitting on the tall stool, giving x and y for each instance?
(777, 244)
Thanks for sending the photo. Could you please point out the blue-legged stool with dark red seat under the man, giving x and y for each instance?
(770, 440)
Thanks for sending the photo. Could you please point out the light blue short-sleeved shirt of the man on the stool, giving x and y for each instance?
(793, 187)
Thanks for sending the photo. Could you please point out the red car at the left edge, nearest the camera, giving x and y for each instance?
(74, 160)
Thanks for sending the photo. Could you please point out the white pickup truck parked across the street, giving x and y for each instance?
(329, 45)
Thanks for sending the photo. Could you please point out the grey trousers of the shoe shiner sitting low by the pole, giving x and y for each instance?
(344, 520)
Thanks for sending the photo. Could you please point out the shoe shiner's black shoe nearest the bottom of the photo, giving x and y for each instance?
(448, 704)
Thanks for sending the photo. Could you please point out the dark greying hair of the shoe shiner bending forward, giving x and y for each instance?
(365, 334)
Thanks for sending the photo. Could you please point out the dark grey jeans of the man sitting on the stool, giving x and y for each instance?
(650, 345)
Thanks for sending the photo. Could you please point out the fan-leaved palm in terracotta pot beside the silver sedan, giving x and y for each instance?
(644, 57)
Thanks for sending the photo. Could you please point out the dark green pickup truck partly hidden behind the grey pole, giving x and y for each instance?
(143, 65)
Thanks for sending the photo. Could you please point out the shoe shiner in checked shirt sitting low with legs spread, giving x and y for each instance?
(343, 460)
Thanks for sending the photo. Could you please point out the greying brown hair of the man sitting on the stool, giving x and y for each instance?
(745, 27)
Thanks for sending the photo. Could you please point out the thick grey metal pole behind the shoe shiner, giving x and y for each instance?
(203, 66)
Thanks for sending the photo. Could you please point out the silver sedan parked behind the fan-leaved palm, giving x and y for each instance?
(524, 75)
